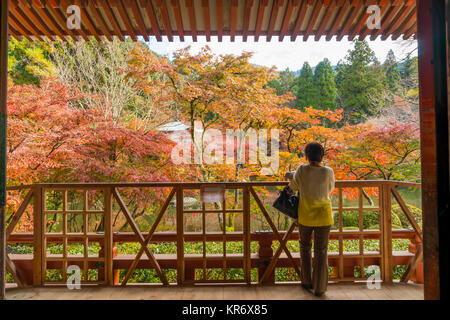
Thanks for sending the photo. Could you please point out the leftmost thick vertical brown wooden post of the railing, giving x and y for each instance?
(38, 236)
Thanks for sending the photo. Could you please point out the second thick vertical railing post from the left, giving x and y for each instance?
(108, 240)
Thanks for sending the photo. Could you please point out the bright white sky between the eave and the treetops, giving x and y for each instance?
(285, 54)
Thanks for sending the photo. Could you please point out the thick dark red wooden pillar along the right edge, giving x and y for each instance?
(433, 125)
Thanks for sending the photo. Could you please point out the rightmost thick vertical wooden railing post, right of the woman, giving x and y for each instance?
(386, 231)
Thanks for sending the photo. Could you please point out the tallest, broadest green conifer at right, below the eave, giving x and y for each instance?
(360, 83)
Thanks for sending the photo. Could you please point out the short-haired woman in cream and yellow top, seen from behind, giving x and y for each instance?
(315, 182)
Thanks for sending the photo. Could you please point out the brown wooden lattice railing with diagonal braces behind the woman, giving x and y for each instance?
(77, 204)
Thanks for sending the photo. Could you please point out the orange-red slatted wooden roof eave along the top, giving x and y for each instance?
(261, 19)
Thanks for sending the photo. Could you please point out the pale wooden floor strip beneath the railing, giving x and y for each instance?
(341, 291)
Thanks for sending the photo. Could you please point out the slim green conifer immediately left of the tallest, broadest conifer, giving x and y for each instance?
(325, 85)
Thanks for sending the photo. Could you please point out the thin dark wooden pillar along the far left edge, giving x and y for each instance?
(3, 116)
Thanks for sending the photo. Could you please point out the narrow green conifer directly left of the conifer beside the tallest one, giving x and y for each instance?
(306, 90)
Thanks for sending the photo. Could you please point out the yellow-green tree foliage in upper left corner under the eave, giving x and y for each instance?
(28, 62)
